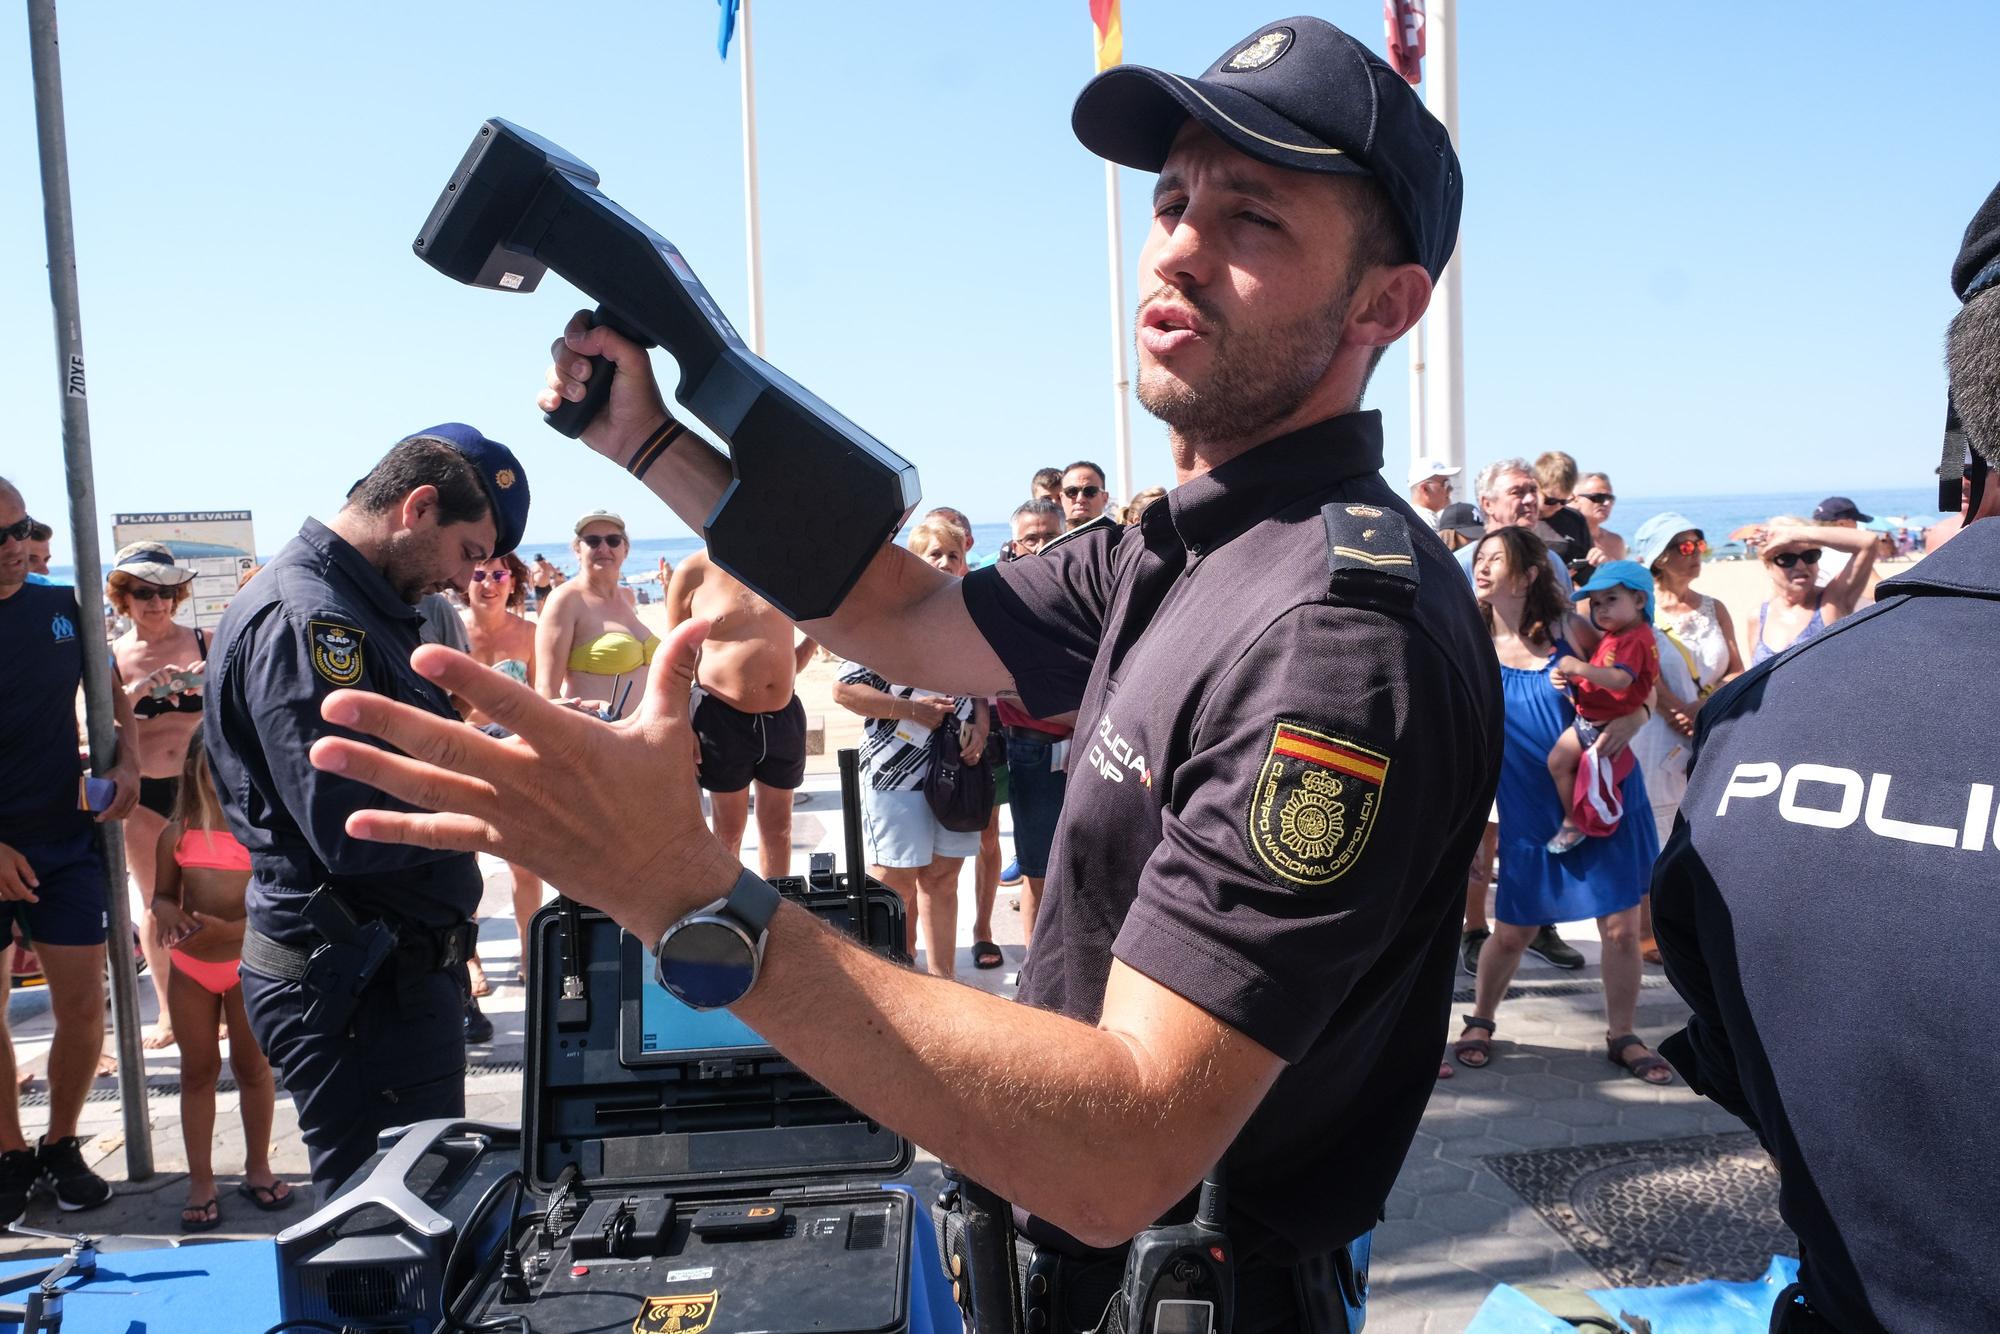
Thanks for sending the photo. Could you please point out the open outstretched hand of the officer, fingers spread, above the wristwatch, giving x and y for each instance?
(603, 811)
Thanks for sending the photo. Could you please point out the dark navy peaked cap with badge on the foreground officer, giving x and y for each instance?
(1301, 95)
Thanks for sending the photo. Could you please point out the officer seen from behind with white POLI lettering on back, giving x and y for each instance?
(1827, 903)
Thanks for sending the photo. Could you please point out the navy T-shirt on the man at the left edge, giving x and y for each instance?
(41, 671)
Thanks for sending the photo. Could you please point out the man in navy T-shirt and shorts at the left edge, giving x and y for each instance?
(51, 871)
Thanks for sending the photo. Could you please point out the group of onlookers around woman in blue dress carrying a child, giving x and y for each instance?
(1607, 655)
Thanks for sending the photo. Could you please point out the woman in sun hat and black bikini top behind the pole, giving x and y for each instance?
(161, 667)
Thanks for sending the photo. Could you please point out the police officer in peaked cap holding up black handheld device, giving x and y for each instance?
(1289, 725)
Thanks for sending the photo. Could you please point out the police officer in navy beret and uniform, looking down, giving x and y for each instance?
(355, 951)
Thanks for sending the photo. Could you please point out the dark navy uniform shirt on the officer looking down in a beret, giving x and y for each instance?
(315, 621)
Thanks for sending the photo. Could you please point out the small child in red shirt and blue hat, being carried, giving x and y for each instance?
(1615, 683)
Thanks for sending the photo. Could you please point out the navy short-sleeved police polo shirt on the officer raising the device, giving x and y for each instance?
(1275, 789)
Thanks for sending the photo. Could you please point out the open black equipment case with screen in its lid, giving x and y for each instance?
(693, 1179)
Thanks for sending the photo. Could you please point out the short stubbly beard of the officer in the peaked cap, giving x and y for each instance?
(1255, 381)
